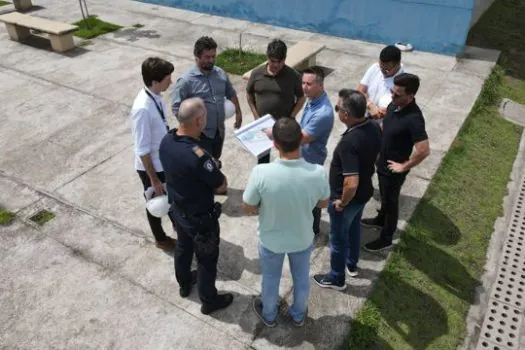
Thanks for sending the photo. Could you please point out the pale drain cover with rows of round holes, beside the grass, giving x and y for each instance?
(504, 315)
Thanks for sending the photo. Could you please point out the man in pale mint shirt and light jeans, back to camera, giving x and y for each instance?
(283, 193)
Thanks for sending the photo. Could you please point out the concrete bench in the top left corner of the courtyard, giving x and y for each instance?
(60, 34)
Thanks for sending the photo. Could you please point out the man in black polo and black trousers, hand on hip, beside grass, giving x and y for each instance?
(403, 130)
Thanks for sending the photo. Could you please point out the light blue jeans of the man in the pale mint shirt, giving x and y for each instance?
(271, 268)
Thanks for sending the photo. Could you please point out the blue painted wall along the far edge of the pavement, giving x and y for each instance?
(430, 25)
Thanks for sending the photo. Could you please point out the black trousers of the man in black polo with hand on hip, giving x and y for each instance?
(390, 188)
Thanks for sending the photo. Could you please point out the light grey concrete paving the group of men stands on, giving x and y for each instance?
(91, 278)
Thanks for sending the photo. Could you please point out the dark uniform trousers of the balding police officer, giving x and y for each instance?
(205, 245)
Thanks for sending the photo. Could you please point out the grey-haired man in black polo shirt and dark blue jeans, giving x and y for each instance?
(351, 172)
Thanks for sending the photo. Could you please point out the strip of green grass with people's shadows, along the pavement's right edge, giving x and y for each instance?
(422, 297)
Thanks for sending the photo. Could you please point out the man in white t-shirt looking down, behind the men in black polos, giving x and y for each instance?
(379, 79)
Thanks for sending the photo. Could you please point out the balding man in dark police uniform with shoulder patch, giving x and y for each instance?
(192, 176)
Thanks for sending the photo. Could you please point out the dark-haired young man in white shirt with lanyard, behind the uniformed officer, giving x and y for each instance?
(149, 125)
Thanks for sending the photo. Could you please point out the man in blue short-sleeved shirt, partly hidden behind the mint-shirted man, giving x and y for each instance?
(317, 123)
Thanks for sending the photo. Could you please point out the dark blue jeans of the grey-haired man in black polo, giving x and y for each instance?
(345, 236)
